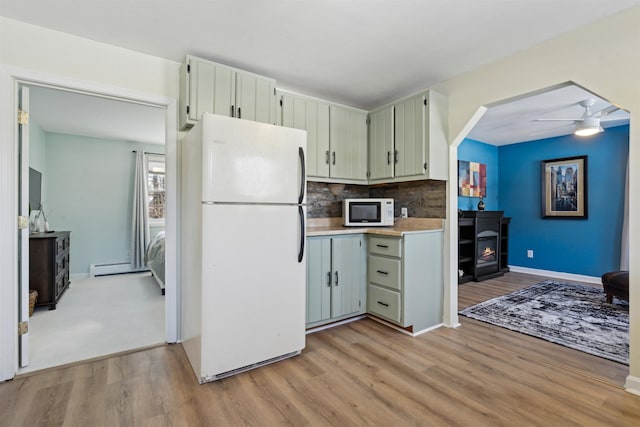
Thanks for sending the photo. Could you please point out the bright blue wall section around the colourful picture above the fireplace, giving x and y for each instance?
(479, 152)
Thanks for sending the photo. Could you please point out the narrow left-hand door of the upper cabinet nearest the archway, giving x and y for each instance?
(381, 144)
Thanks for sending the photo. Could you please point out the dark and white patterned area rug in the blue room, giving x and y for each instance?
(576, 316)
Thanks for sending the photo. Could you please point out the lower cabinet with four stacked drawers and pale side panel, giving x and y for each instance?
(405, 280)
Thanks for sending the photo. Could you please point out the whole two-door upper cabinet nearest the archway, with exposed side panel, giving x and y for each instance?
(419, 144)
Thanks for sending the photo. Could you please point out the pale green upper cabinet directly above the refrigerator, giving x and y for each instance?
(208, 87)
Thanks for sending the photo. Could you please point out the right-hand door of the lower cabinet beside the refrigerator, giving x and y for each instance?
(348, 275)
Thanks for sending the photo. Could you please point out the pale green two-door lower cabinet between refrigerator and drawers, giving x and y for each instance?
(336, 278)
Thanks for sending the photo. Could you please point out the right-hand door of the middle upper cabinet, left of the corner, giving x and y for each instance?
(348, 139)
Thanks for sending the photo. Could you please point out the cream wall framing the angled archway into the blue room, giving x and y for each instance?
(605, 59)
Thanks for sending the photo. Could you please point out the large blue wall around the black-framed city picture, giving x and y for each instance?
(588, 247)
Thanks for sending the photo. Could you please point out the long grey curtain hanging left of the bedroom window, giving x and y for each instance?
(140, 222)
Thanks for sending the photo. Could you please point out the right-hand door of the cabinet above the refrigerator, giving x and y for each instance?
(255, 98)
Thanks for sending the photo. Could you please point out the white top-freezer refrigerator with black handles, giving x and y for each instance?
(243, 194)
